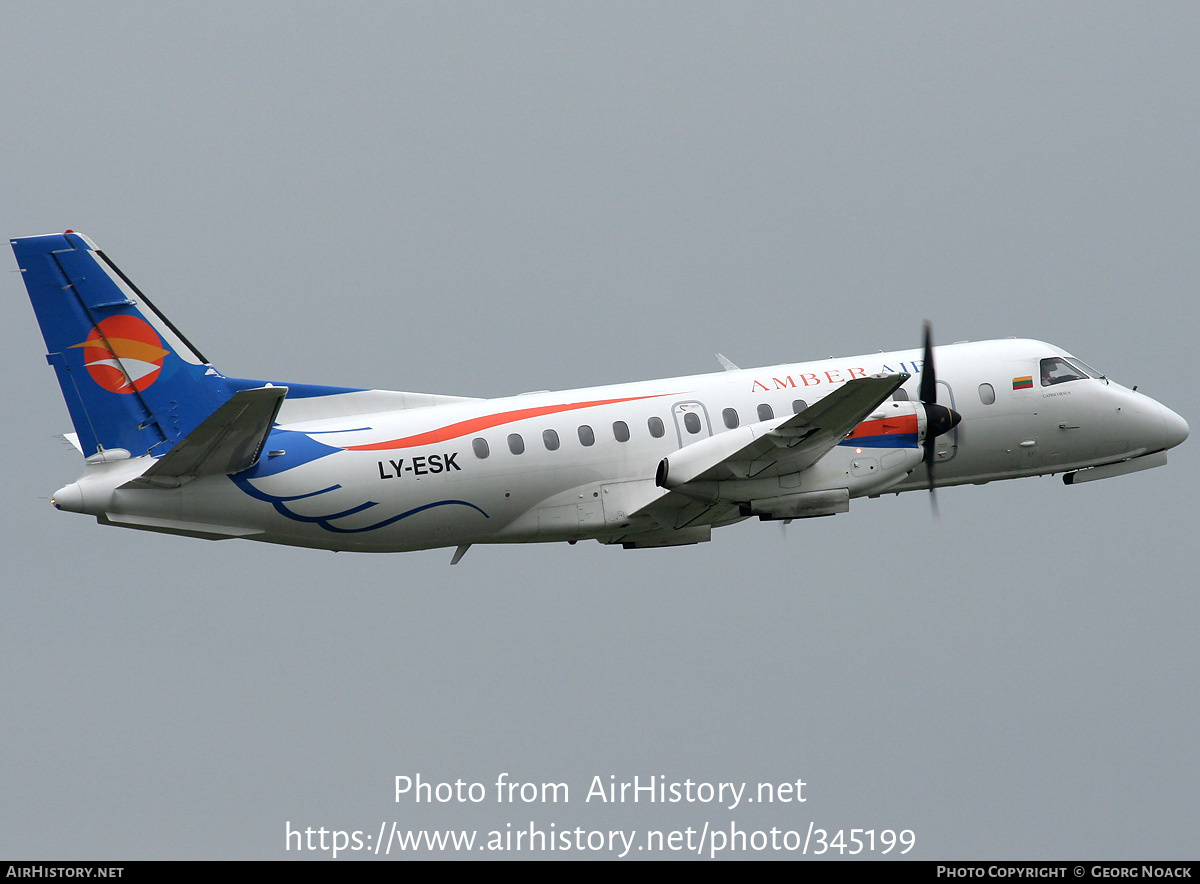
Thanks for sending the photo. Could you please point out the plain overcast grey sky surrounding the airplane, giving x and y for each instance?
(483, 200)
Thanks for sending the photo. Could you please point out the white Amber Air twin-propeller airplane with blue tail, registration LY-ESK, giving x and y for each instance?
(172, 446)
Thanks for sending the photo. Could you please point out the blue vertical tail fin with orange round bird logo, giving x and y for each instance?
(130, 380)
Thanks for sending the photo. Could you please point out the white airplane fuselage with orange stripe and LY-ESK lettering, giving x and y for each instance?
(574, 465)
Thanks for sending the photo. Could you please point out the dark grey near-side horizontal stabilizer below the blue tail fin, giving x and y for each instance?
(229, 441)
